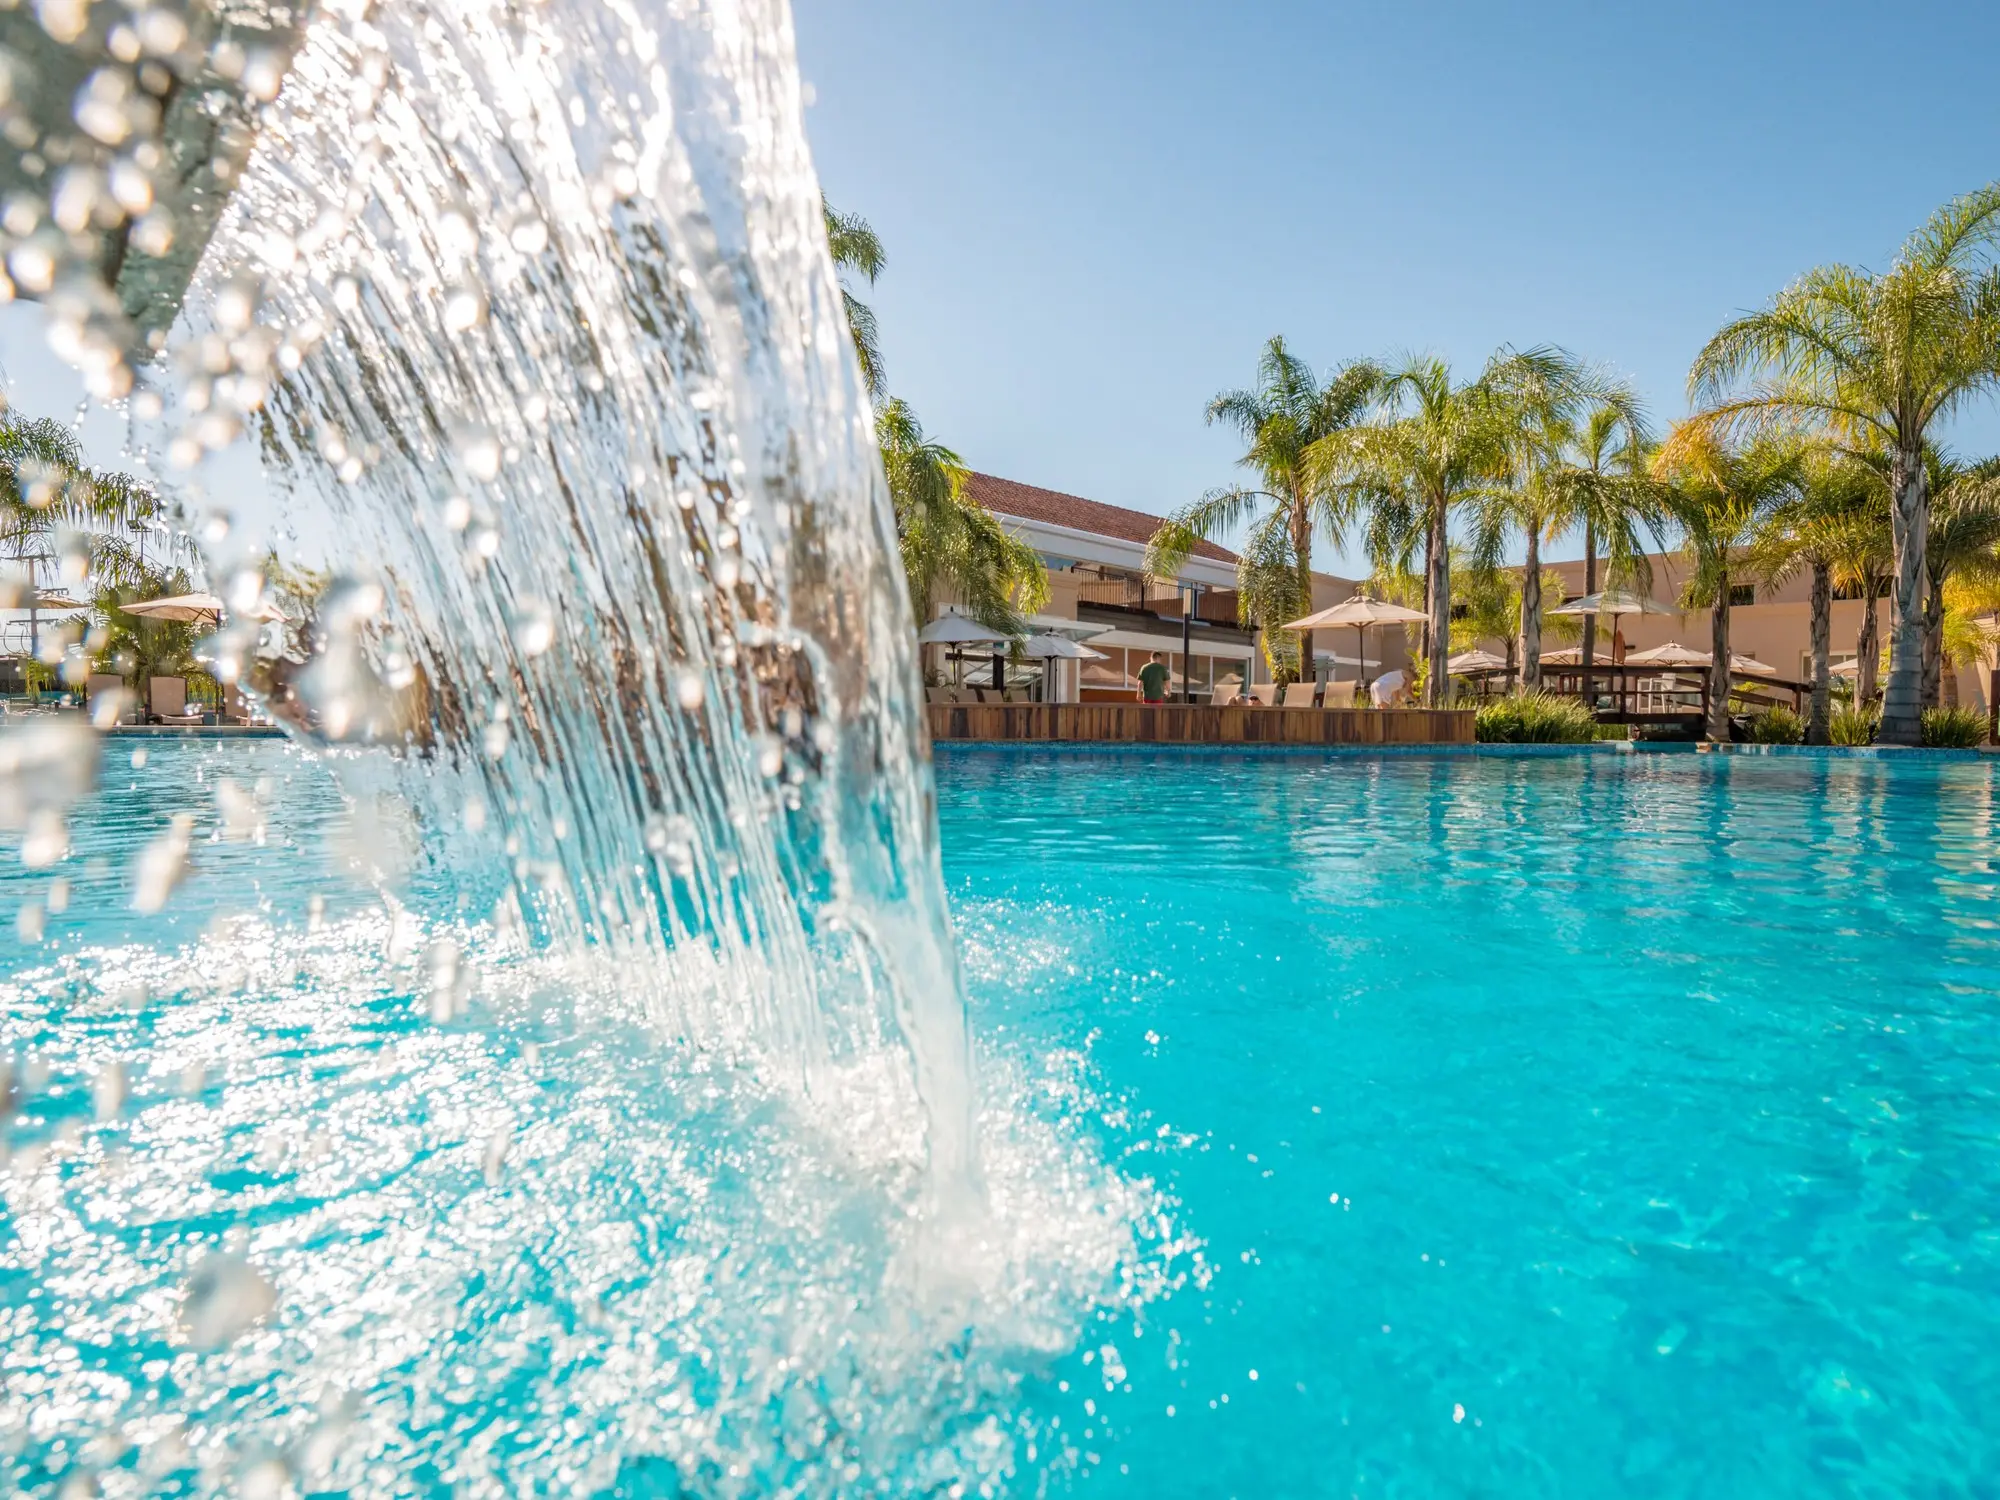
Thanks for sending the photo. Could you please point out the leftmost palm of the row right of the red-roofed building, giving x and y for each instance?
(1281, 421)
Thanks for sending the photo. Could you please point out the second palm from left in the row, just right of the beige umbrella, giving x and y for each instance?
(1435, 447)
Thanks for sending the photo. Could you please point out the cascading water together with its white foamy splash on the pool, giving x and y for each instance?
(525, 315)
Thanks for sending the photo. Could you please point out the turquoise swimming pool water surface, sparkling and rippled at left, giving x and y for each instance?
(1403, 1125)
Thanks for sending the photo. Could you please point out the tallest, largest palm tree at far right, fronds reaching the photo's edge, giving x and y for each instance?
(1877, 361)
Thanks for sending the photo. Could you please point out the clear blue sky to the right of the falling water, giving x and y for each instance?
(1097, 211)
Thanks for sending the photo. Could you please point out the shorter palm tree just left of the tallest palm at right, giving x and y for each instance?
(1829, 525)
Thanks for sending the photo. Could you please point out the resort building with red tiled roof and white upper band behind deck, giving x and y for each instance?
(1103, 599)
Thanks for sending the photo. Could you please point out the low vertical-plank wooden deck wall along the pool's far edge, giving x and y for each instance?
(1199, 725)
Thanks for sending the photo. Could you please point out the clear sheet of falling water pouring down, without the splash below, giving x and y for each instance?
(533, 305)
